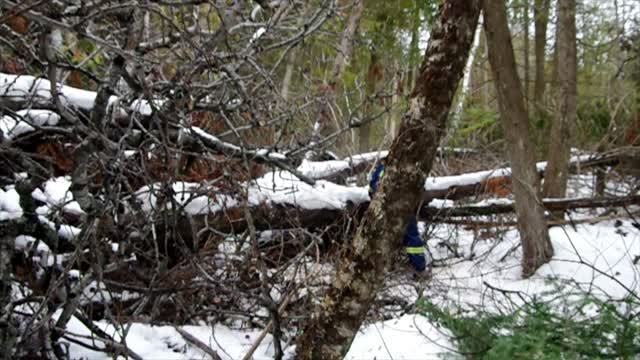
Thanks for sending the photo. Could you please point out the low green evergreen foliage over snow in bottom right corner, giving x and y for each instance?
(590, 328)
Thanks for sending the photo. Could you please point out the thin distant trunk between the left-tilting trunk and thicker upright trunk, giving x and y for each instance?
(541, 18)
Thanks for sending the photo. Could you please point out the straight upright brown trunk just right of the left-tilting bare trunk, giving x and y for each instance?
(555, 183)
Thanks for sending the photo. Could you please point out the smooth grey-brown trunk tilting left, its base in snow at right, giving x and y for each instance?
(536, 245)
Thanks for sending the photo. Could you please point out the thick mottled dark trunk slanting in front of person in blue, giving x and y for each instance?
(365, 261)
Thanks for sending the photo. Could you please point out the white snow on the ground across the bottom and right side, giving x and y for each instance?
(598, 258)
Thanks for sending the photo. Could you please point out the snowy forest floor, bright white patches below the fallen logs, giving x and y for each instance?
(475, 269)
